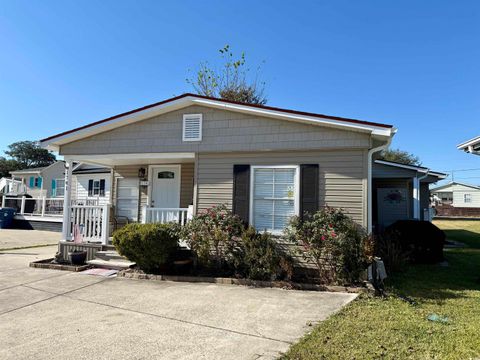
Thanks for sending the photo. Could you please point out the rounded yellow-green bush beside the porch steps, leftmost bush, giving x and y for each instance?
(149, 245)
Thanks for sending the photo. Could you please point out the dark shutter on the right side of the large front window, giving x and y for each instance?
(308, 189)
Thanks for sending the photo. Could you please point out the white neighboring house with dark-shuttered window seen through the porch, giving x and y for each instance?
(90, 184)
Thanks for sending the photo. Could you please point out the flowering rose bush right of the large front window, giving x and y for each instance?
(333, 242)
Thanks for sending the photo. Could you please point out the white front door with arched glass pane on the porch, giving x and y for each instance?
(165, 186)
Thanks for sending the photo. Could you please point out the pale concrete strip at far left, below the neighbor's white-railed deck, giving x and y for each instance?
(10, 238)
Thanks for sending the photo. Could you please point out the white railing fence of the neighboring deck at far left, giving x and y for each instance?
(34, 206)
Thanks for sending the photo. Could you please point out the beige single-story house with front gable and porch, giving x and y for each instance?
(188, 153)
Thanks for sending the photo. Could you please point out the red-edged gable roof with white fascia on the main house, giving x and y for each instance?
(188, 99)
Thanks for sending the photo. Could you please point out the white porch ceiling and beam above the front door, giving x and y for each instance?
(112, 160)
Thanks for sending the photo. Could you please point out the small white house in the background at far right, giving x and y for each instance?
(458, 194)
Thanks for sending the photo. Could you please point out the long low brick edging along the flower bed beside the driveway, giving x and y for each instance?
(133, 274)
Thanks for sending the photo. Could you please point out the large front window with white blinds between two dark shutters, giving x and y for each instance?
(274, 197)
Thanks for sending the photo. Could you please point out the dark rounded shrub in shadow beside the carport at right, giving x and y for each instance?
(421, 241)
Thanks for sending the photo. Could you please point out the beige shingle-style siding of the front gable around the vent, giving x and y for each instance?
(222, 131)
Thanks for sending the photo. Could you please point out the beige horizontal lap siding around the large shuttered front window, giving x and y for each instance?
(342, 176)
